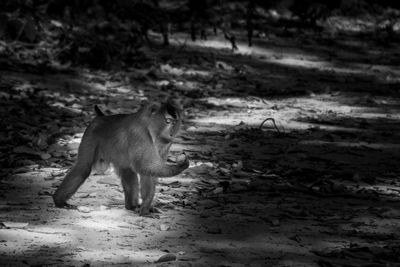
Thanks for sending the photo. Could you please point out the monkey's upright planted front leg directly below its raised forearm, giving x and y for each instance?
(147, 190)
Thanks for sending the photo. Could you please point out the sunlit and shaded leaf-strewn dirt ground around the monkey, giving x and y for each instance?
(324, 190)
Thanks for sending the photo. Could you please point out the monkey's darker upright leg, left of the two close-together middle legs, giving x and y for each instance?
(130, 184)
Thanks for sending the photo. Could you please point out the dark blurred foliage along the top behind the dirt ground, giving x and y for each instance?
(98, 32)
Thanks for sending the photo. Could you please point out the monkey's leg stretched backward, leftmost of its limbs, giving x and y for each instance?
(72, 181)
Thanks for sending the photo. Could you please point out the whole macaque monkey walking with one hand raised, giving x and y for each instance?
(136, 145)
